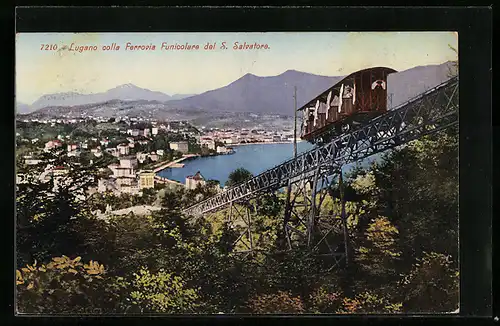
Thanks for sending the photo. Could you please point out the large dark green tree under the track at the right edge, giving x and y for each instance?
(418, 192)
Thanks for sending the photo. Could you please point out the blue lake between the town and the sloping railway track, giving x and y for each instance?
(256, 158)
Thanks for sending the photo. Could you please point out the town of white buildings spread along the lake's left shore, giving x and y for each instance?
(135, 149)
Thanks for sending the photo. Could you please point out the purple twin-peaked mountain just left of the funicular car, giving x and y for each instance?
(256, 94)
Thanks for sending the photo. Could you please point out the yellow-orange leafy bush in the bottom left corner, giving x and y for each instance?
(69, 286)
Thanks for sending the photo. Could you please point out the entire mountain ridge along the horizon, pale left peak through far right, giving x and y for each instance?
(249, 93)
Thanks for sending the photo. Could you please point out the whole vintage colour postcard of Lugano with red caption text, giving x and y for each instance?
(237, 173)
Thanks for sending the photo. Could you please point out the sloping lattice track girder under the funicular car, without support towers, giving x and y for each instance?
(426, 113)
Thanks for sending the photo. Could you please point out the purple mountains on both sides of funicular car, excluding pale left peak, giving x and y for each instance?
(274, 94)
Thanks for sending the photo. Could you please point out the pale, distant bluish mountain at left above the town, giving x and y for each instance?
(126, 92)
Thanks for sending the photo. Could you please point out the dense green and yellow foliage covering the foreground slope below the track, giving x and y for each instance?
(402, 219)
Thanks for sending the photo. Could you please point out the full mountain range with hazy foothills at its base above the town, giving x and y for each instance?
(248, 94)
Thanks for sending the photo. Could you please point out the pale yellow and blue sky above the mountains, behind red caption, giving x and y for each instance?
(47, 71)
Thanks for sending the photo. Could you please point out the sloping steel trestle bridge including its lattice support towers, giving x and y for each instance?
(427, 113)
